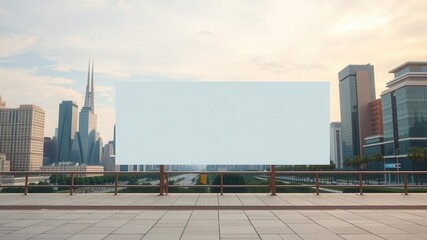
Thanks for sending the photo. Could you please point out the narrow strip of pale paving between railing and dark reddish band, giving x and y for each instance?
(292, 200)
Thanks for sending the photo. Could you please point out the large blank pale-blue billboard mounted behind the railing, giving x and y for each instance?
(191, 122)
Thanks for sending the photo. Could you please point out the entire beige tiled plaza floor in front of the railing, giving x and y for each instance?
(104, 216)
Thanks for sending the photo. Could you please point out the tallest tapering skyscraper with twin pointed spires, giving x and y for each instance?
(87, 145)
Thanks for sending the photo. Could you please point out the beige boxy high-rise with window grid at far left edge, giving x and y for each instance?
(21, 136)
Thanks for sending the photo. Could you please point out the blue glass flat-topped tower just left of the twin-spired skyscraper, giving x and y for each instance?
(67, 128)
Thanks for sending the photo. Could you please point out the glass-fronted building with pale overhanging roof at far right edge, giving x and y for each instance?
(404, 106)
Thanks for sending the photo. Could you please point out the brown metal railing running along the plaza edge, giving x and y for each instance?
(272, 177)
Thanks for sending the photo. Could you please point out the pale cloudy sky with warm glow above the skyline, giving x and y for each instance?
(45, 46)
